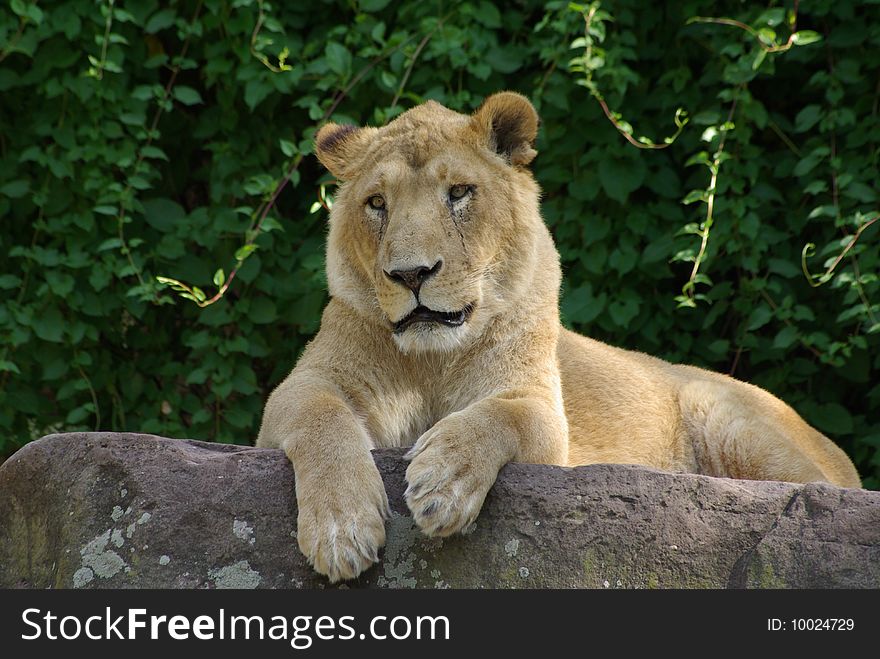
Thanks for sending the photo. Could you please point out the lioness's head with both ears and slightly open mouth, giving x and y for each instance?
(432, 212)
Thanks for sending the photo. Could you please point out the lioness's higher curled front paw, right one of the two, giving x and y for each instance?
(446, 489)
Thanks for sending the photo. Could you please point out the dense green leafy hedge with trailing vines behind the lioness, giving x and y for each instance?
(145, 139)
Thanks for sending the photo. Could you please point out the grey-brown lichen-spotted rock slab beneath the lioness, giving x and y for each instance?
(107, 510)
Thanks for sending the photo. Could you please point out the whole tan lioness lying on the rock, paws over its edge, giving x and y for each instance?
(443, 333)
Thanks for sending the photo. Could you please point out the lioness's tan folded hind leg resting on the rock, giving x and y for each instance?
(737, 434)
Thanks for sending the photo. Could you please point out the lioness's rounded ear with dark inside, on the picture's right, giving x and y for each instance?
(510, 123)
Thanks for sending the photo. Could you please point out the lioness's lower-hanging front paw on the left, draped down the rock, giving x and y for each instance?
(341, 528)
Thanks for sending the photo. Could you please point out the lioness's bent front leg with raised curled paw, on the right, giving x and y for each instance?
(455, 463)
